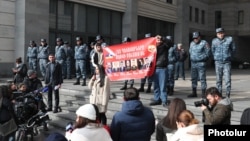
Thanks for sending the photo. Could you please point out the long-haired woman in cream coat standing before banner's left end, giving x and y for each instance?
(99, 84)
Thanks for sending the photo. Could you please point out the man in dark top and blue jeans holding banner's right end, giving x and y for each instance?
(160, 75)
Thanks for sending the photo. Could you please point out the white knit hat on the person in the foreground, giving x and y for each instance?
(88, 111)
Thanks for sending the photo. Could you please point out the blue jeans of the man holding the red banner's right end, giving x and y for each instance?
(160, 78)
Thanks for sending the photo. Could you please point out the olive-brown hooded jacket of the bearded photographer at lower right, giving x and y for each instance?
(220, 113)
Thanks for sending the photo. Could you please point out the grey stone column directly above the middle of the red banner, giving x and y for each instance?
(130, 19)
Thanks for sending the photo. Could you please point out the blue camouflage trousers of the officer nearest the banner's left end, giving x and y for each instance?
(81, 69)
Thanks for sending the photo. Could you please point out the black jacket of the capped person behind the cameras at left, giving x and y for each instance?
(32, 84)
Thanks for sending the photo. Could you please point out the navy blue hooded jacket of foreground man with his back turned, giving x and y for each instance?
(134, 123)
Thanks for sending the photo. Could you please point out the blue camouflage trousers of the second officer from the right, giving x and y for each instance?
(198, 70)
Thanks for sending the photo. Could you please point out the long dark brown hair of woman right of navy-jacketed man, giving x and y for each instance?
(176, 106)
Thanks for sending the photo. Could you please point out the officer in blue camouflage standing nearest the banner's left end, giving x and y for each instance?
(81, 56)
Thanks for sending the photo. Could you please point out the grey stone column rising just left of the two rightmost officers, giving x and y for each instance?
(182, 25)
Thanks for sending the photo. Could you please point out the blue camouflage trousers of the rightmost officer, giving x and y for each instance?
(223, 68)
